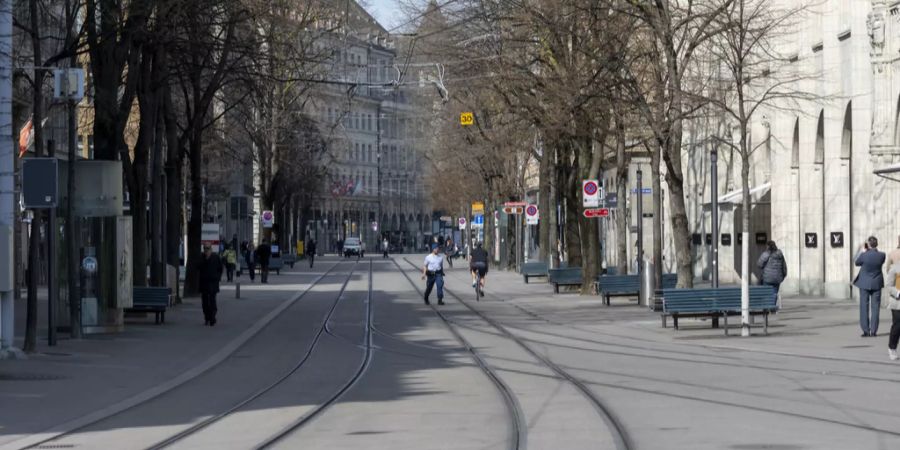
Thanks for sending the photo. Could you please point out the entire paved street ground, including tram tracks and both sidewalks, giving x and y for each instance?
(341, 357)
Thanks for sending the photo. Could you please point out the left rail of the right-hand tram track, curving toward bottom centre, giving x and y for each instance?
(519, 428)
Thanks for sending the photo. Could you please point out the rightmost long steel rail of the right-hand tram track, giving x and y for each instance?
(616, 428)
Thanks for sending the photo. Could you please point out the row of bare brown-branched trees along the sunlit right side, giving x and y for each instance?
(581, 86)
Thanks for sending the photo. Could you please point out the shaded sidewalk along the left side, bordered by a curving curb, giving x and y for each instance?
(78, 377)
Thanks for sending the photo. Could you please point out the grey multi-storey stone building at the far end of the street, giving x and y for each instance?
(375, 185)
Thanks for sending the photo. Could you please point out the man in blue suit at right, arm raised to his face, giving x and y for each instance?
(870, 281)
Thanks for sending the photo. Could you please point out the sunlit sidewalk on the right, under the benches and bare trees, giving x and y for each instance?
(805, 326)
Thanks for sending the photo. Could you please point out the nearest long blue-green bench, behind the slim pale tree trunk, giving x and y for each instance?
(717, 302)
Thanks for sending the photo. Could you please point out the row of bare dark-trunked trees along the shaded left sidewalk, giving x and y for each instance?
(171, 85)
